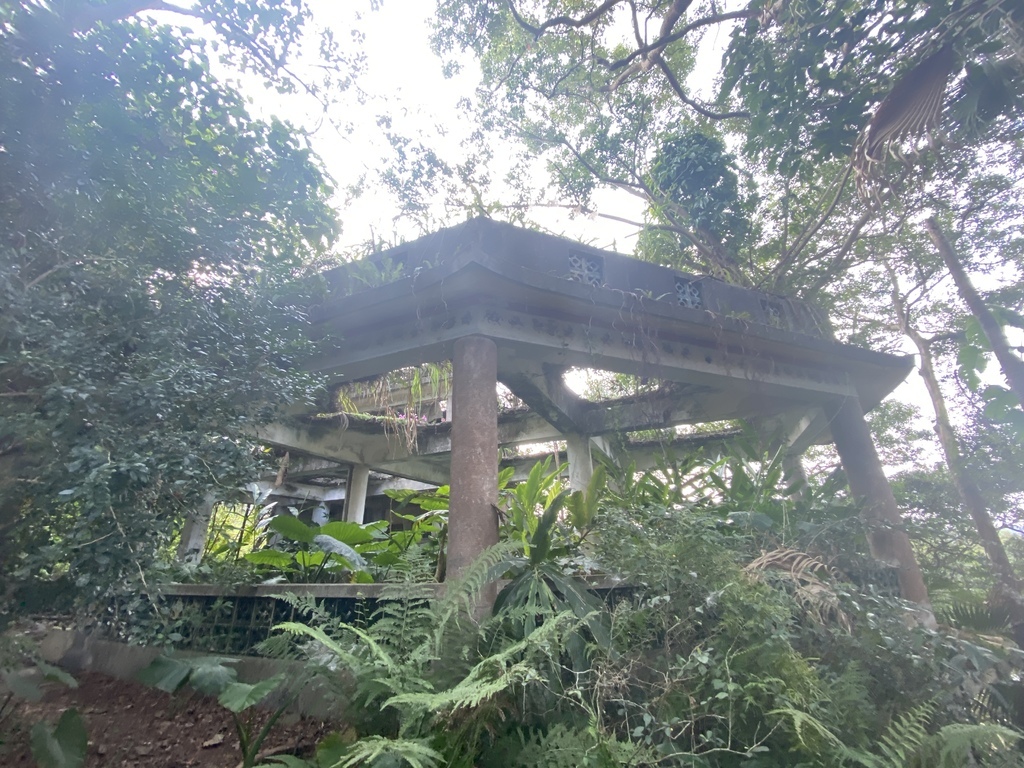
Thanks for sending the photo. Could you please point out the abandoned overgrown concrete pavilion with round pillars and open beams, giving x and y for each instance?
(522, 309)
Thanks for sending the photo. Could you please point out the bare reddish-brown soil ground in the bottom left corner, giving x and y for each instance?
(134, 727)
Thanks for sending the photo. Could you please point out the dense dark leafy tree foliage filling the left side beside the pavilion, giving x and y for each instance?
(151, 233)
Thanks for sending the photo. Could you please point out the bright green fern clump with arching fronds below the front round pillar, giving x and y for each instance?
(434, 676)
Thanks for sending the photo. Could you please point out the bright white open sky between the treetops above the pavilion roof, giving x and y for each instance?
(404, 79)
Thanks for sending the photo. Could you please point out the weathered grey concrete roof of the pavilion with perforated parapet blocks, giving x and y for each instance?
(528, 292)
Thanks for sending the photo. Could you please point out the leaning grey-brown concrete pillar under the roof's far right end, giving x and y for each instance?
(889, 543)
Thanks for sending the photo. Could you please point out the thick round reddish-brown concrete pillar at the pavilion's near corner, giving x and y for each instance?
(473, 521)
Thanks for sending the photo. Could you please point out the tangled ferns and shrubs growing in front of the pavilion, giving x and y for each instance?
(728, 649)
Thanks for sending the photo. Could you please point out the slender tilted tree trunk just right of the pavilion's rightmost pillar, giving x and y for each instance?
(968, 490)
